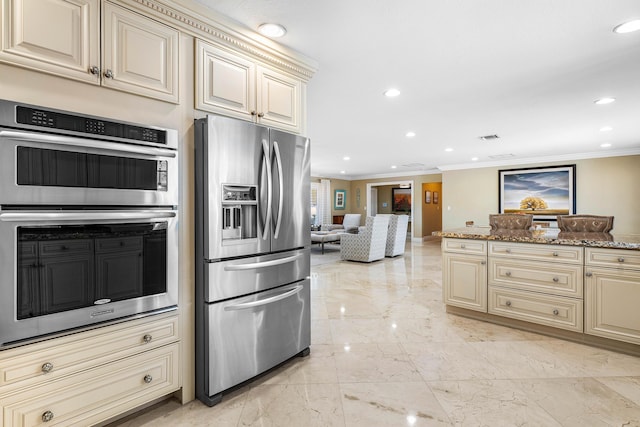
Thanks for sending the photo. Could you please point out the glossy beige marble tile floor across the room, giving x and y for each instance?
(385, 353)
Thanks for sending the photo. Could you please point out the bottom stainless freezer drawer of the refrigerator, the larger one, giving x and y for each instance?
(249, 335)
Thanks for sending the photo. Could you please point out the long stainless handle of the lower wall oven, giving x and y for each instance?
(83, 215)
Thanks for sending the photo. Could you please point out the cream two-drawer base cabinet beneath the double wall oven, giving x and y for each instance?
(92, 376)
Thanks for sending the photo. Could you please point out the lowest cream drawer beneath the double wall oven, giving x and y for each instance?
(98, 394)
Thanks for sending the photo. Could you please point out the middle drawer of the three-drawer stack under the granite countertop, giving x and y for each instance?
(555, 279)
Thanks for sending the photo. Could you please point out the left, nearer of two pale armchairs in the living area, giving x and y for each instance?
(369, 244)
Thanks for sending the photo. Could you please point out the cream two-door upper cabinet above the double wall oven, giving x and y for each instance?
(63, 37)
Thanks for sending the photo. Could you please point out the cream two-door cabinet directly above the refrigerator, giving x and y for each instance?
(233, 85)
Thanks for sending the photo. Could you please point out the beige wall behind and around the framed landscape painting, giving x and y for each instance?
(604, 186)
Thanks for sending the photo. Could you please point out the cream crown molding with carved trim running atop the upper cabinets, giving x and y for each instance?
(200, 21)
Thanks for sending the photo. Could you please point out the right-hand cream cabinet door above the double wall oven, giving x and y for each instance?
(139, 55)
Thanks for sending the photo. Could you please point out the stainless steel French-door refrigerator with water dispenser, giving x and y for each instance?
(252, 252)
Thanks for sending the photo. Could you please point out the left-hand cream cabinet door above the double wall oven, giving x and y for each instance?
(55, 36)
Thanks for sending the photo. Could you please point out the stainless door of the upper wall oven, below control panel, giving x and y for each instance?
(46, 169)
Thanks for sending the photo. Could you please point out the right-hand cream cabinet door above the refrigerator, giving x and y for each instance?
(278, 100)
